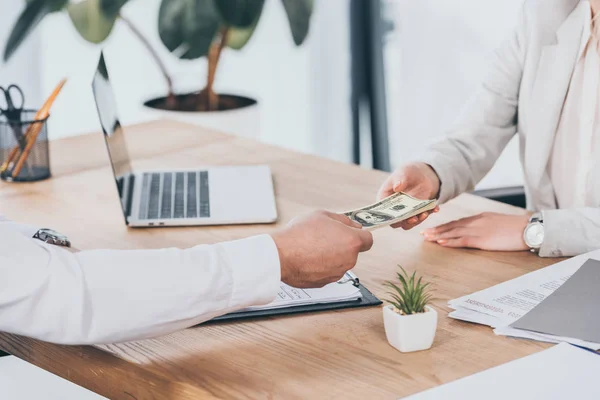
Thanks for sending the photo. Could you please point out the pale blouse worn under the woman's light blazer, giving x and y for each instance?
(574, 163)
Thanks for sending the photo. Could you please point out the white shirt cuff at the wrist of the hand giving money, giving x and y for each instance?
(255, 269)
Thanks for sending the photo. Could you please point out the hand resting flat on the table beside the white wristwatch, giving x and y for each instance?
(487, 231)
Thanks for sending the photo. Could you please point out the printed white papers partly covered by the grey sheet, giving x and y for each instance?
(503, 304)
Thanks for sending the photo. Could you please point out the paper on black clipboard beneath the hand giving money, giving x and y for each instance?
(290, 297)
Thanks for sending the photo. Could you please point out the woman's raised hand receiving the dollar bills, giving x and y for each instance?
(416, 179)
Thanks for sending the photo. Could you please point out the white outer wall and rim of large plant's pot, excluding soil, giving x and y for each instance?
(244, 121)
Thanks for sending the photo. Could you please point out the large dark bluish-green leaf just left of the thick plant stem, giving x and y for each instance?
(188, 27)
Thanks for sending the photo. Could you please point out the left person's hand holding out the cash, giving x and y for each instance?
(318, 249)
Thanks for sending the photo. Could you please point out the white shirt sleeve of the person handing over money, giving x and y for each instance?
(110, 296)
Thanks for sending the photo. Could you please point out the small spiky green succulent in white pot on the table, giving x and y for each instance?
(410, 323)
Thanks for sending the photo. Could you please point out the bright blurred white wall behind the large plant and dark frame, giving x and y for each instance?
(434, 59)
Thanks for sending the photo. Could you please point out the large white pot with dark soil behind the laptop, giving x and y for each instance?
(237, 115)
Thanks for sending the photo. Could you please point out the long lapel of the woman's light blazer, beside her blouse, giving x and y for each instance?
(555, 70)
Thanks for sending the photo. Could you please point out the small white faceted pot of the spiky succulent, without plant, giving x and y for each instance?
(410, 332)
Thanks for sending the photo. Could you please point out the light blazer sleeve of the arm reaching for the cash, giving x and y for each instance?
(487, 124)
